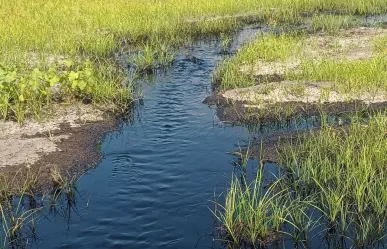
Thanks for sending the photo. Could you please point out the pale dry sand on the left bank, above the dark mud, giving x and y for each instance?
(20, 145)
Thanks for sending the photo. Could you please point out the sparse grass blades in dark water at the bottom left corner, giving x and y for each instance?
(20, 206)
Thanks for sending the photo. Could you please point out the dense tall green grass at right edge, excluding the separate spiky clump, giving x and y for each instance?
(344, 168)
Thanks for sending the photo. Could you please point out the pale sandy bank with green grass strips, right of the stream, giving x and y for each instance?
(308, 70)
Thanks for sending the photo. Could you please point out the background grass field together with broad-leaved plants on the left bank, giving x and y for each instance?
(41, 35)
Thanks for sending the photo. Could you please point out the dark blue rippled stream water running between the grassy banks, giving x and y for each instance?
(154, 186)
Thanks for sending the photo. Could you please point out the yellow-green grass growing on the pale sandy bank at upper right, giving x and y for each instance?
(346, 76)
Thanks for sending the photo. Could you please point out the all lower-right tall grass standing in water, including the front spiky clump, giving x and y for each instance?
(332, 180)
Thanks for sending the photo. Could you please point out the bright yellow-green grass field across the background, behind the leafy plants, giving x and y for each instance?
(69, 27)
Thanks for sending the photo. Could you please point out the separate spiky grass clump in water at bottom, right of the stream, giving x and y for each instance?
(251, 215)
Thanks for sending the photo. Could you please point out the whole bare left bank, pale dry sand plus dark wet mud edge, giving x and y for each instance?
(67, 141)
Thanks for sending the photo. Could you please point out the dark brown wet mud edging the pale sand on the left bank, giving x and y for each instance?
(76, 154)
